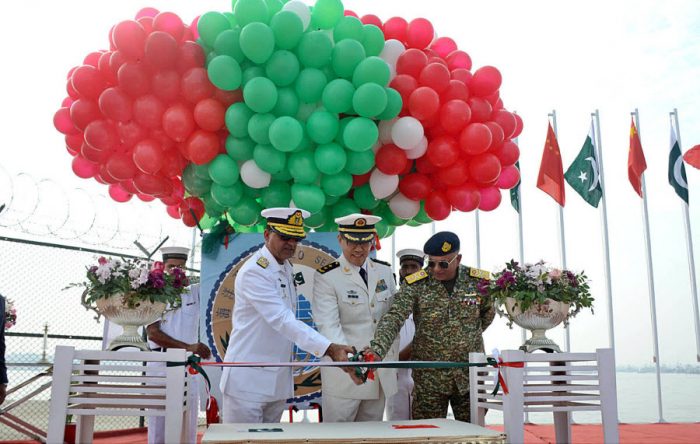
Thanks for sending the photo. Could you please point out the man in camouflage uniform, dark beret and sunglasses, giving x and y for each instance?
(450, 316)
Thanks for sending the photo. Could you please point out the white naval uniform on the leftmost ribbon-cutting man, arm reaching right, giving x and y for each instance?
(265, 329)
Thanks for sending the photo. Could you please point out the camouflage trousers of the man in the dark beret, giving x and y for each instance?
(429, 403)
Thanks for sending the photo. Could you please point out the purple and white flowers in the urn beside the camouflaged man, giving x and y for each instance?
(532, 284)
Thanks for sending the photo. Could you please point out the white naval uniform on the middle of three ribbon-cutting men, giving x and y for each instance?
(347, 311)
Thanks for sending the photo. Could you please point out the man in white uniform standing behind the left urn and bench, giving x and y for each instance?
(178, 329)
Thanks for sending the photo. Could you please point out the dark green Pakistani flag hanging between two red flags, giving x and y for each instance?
(583, 174)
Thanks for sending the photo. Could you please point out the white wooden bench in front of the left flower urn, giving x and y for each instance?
(88, 383)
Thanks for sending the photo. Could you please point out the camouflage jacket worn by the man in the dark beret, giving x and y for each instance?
(448, 326)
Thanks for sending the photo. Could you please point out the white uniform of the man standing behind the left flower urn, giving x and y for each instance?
(183, 325)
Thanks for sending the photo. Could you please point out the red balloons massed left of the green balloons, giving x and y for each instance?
(137, 114)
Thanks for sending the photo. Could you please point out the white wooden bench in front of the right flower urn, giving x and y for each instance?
(560, 383)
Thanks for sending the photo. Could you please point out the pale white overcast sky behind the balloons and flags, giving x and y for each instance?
(570, 57)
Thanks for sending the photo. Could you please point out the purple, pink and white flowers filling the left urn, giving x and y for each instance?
(136, 280)
